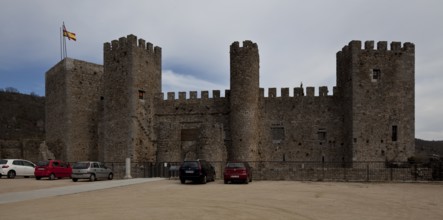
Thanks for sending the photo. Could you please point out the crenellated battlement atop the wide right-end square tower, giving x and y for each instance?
(381, 46)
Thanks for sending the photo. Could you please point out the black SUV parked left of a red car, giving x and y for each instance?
(197, 171)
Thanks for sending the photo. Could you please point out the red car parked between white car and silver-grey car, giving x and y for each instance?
(52, 169)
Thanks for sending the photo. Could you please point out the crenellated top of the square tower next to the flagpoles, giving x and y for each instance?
(131, 41)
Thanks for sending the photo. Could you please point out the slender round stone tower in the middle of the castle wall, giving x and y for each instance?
(244, 101)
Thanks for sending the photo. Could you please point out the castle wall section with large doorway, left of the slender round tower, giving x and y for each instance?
(191, 128)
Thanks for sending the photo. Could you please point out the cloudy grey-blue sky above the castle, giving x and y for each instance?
(297, 40)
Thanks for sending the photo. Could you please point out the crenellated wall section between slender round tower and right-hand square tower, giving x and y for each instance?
(301, 128)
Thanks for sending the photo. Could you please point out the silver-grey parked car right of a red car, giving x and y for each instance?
(92, 170)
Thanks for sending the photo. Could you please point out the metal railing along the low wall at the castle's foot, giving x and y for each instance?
(300, 170)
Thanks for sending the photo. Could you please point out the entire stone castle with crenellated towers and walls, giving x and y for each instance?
(117, 110)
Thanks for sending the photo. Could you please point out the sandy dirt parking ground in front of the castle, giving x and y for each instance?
(168, 199)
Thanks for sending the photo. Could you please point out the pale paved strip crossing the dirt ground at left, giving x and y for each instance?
(65, 190)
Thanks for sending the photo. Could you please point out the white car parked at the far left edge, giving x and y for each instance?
(16, 167)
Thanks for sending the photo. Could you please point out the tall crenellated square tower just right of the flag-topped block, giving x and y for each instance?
(133, 78)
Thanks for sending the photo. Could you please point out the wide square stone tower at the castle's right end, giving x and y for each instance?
(377, 86)
